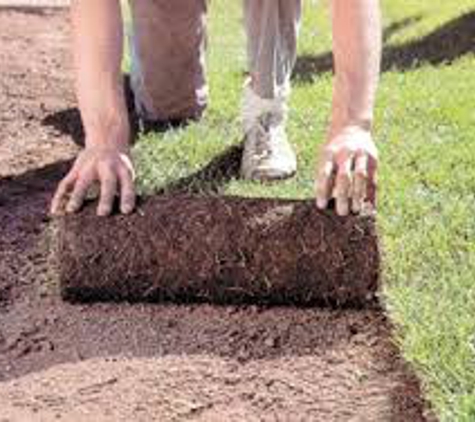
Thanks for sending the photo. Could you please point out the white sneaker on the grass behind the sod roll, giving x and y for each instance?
(268, 154)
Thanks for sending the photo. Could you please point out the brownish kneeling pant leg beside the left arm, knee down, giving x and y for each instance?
(168, 58)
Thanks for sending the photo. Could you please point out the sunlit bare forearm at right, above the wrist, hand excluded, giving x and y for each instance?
(357, 55)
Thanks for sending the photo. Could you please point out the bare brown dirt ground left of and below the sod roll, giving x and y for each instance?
(153, 362)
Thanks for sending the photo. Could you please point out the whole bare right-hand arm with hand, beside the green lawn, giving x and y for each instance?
(349, 158)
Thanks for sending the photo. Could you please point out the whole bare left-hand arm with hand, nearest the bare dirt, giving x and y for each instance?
(97, 49)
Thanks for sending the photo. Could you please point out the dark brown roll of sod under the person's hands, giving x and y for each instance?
(220, 250)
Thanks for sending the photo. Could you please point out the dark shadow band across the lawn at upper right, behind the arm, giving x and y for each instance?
(444, 45)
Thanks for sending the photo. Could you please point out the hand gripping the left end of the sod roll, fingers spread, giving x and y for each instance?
(111, 167)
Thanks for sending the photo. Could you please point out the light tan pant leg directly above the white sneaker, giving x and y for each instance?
(272, 29)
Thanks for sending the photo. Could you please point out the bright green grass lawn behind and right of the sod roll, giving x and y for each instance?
(425, 119)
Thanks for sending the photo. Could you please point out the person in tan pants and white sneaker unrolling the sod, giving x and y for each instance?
(169, 82)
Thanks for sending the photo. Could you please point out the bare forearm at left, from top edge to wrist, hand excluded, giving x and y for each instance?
(97, 49)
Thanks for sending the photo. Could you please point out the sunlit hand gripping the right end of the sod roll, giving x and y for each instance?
(347, 171)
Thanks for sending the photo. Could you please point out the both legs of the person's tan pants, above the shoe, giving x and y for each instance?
(168, 52)
